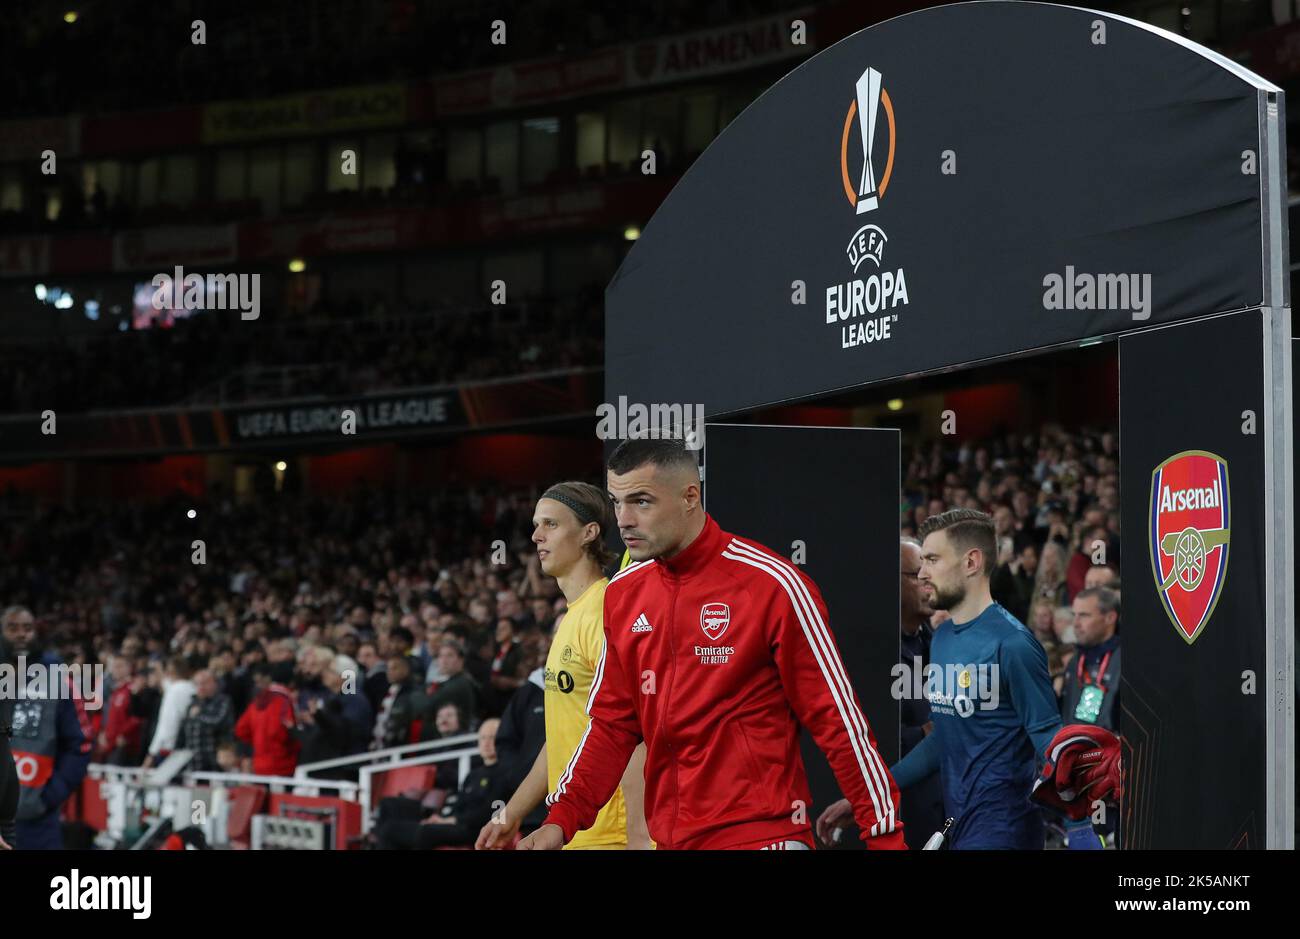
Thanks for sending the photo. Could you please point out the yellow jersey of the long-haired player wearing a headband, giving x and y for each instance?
(570, 668)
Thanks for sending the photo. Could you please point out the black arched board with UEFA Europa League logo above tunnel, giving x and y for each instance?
(950, 187)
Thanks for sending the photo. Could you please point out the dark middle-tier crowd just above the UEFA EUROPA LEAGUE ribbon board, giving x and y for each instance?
(214, 358)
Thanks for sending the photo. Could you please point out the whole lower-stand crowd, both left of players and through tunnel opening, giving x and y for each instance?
(319, 629)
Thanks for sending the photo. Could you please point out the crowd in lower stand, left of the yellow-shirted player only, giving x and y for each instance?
(326, 629)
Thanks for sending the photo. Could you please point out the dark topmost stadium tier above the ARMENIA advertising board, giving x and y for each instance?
(112, 55)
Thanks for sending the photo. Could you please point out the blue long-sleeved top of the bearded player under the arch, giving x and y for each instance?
(995, 712)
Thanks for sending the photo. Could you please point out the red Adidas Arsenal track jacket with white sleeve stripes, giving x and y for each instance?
(716, 659)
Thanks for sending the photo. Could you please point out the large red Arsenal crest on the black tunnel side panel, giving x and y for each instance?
(1189, 538)
